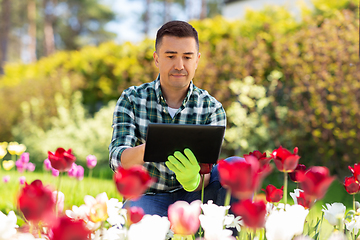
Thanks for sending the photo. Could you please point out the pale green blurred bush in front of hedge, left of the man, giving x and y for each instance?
(71, 128)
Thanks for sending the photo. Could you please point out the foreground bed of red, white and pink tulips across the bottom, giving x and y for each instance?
(254, 217)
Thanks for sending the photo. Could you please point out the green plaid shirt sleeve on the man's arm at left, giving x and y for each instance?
(124, 128)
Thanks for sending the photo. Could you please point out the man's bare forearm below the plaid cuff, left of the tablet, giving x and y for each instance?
(133, 156)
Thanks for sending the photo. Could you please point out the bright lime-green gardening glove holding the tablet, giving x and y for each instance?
(186, 169)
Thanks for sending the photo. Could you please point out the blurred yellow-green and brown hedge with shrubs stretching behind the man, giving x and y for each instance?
(283, 81)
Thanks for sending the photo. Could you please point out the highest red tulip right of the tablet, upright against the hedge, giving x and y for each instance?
(284, 160)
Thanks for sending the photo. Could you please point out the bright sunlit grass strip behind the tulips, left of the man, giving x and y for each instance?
(73, 189)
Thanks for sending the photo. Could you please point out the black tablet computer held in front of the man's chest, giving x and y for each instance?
(163, 140)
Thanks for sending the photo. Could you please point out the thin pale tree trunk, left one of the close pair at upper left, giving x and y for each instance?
(32, 30)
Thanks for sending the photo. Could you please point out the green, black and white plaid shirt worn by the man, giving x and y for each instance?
(140, 105)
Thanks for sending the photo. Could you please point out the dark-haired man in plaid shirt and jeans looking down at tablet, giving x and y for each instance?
(171, 98)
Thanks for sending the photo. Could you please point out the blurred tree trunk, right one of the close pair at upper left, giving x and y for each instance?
(48, 26)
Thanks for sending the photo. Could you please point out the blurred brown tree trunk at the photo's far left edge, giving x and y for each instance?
(4, 36)
